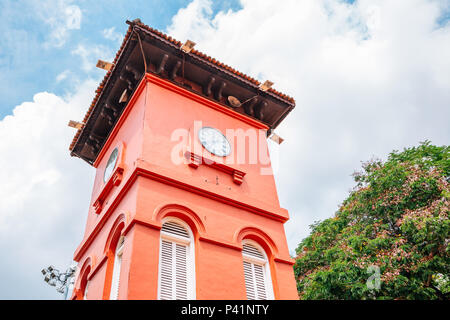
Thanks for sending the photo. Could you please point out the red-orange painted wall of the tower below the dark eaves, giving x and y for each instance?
(220, 212)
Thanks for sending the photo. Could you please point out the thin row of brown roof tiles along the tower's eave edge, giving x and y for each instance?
(177, 43)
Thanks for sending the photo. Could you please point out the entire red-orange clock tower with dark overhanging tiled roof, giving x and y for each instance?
(184, 203)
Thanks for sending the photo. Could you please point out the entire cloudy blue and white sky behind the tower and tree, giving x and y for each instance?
(368, 76)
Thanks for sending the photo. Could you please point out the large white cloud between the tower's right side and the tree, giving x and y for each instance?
(368, 78)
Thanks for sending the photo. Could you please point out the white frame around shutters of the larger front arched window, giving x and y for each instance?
(190, 259)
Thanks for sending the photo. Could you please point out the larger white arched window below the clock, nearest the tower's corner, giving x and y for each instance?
(176, 264)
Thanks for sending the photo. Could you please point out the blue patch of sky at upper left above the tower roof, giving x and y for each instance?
(30, 60)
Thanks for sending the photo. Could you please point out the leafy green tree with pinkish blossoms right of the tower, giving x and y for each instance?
(390, 237)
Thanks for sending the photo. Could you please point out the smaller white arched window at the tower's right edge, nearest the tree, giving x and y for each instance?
(258, 283)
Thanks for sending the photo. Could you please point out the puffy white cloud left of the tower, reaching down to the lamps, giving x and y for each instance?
(45, 192)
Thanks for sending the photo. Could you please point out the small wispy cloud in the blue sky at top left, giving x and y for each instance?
(62, 17)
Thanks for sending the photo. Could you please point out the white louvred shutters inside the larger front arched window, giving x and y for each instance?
(174, 264)
